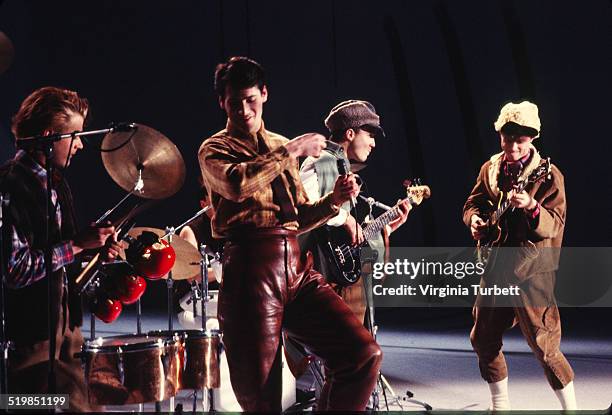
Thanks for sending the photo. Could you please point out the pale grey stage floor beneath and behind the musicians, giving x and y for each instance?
(436, 362)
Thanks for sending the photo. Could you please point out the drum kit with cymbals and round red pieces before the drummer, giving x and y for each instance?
(152, 366)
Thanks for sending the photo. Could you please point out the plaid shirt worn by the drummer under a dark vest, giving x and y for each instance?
(26, 265)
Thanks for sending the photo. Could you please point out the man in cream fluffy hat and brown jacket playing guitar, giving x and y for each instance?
(534, 224)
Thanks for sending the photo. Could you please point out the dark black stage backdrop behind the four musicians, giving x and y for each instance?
(437, 72)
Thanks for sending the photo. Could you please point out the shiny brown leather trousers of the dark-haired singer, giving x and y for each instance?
(267, 288)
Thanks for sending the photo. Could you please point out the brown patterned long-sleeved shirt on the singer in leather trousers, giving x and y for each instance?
(238, 177)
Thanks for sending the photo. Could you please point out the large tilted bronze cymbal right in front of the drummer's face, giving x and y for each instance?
(161, 163)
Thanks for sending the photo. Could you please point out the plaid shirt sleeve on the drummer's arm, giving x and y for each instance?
(27, 266)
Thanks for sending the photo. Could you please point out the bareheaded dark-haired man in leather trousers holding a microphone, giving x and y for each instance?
(260, 206)
